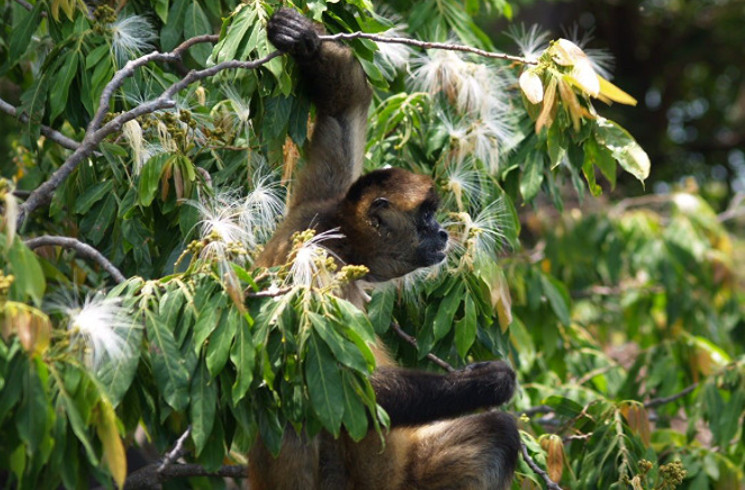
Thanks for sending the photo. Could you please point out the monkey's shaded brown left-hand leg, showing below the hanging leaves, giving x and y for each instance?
(295, 468)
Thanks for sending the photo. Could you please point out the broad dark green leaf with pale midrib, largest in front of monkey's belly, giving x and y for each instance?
(324, 385)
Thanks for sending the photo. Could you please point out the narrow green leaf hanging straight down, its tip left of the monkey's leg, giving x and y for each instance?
(203, 407)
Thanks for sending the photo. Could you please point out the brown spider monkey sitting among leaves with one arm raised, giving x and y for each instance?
(388, 221)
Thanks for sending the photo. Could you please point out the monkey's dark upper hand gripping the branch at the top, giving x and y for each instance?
(292, 33)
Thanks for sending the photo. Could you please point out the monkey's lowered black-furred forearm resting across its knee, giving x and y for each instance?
(417, 397)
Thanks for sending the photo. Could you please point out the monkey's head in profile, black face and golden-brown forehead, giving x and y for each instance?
(388, 217)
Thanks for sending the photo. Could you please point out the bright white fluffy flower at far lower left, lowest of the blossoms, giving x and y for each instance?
(99, 329)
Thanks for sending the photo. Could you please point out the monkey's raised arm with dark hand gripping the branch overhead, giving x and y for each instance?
(338, 87)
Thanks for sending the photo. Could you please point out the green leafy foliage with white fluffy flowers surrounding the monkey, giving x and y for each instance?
(180, 199)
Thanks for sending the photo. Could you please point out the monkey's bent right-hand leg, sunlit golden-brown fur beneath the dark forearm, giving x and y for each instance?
(477, 452)
